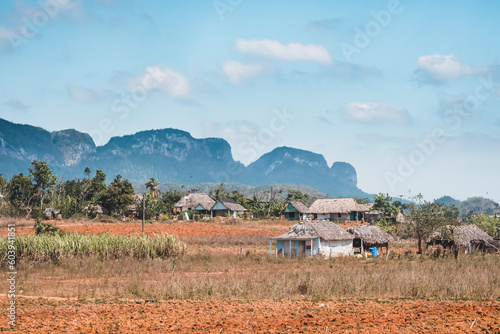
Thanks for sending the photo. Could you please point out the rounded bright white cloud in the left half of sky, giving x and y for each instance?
(163, 79)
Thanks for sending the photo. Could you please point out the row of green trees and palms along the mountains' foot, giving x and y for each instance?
(29, 195)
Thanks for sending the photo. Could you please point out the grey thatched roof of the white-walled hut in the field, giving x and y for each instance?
(327, 230)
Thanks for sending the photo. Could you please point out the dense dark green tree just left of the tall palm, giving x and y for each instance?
(118, 196)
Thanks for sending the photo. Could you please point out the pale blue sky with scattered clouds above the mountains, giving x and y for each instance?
(408, 92)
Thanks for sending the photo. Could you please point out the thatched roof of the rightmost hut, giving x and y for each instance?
(462, 235)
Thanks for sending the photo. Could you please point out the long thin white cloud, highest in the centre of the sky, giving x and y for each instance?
(289, 52)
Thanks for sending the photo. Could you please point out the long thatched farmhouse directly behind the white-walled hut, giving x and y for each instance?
(338, 209)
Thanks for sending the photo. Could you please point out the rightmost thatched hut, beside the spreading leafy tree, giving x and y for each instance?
(466, 237)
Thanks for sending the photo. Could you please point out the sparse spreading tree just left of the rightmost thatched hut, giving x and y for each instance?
(425, 218)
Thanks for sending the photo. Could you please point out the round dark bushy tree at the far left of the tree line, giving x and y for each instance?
(21, 193)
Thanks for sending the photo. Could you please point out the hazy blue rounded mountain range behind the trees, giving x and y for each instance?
(169, 155)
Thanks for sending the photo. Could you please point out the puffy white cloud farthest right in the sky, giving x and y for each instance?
(439, 68)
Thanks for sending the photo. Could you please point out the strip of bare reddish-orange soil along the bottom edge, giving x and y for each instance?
(69, 316)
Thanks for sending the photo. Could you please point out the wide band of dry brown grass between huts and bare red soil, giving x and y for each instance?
(222, 274)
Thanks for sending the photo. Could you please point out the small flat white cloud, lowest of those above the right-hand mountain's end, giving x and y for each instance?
(382, 113)
